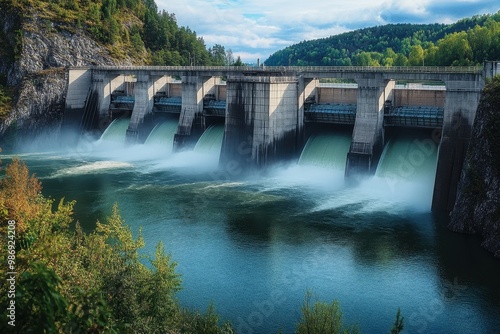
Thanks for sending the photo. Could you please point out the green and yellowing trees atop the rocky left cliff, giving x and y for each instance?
(128, 28)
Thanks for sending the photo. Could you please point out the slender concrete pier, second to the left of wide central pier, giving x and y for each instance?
(143, 105)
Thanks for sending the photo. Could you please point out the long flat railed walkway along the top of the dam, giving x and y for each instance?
(466, 73)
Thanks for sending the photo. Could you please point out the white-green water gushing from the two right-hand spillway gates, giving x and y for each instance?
(404, 179)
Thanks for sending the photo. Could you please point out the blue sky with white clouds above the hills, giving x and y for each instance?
(254, 29)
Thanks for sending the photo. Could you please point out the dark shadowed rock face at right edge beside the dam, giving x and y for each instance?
(477, 208)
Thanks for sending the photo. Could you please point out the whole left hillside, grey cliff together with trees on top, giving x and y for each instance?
(40, 38)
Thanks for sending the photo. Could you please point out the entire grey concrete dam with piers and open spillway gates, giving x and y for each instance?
(262, 115)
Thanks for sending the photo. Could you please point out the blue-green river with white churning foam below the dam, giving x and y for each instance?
(253, 245)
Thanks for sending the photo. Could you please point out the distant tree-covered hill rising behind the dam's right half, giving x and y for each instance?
(467, 42)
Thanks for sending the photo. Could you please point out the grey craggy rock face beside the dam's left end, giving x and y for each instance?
(38, 72)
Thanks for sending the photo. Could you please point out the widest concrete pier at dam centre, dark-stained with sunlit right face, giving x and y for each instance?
(261, 121)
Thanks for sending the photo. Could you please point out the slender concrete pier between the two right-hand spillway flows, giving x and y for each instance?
(368, 135)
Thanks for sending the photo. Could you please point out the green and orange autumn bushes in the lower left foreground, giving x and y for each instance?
(72, 281)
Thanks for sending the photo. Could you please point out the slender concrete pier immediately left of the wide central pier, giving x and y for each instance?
(194, 88)
